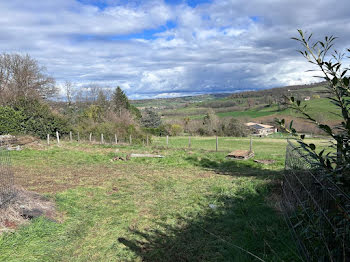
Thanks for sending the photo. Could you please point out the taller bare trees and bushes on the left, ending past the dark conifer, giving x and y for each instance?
(28, 104)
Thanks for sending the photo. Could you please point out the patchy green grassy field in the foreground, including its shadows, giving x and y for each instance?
(153, 209)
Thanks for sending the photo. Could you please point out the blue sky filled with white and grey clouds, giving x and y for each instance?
(172, 47)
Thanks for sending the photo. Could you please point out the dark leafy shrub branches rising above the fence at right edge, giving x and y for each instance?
(333, 72)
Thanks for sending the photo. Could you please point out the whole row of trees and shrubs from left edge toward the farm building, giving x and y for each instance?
(30, 104)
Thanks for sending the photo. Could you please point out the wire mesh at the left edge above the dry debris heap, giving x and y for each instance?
(6, 175)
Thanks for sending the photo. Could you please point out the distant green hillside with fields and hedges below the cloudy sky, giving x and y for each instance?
(260, 106)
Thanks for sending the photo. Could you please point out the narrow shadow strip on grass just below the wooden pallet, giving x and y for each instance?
(232, 167)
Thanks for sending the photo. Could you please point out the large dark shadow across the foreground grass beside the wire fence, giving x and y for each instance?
(241, 218)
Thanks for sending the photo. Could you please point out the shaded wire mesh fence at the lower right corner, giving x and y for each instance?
(316, 209)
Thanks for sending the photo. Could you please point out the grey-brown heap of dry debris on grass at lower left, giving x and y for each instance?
(24, 206)
